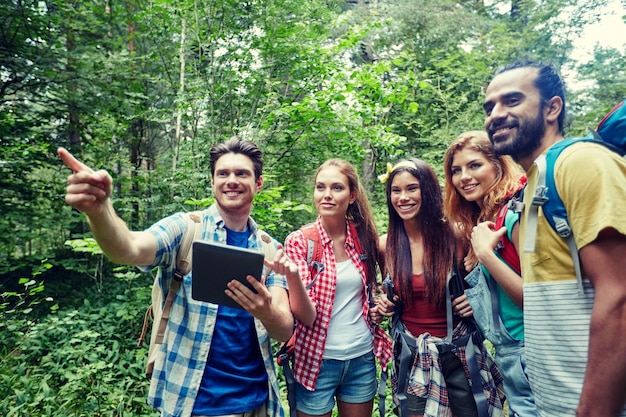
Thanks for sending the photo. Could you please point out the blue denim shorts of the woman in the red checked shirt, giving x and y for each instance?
(351, 381)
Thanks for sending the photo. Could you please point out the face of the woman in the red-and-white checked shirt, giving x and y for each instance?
(332, 194)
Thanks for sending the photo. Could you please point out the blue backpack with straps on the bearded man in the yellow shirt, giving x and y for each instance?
(611, 133)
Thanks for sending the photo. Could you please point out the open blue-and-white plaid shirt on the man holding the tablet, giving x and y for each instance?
(182, 357)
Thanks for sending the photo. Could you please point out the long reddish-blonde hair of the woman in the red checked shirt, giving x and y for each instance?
(360, 213)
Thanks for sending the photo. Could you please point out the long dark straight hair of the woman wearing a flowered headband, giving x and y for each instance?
(437, 236)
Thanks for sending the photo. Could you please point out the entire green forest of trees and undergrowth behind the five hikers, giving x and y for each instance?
(144, 88)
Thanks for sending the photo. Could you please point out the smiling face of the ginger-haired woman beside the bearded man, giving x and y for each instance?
(472, 174)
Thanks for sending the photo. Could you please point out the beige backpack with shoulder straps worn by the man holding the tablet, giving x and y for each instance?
(159, 310)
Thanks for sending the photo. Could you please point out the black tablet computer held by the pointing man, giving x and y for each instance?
(214, 265)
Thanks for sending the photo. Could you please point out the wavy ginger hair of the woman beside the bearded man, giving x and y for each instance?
(466, 214)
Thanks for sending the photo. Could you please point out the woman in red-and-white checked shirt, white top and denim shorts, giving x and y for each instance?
(328, 365)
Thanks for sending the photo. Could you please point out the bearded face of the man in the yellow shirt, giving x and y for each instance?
(514, 119)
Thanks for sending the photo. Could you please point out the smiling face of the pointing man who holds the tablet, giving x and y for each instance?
(234, 184)
